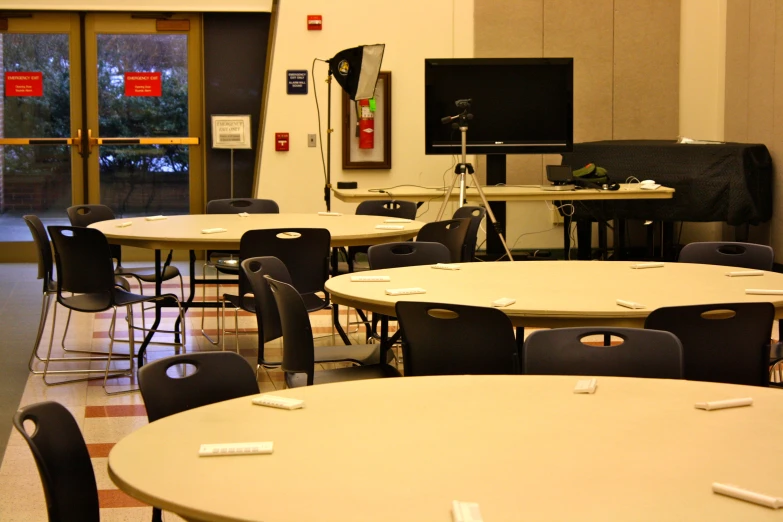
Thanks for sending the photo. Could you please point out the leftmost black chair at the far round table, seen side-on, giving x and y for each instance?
(46, 273)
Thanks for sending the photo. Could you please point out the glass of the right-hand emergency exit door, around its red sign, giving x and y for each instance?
(143, 179)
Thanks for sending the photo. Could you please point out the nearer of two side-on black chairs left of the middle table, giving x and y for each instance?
(298, 347)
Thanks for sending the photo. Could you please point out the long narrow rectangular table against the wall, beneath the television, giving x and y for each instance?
(626, 191)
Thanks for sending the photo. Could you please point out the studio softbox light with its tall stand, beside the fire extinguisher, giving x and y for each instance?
(356, 70)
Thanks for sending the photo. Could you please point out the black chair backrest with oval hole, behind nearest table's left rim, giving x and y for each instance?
(209, 377)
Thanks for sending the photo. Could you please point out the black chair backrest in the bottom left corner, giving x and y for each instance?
(63, 462)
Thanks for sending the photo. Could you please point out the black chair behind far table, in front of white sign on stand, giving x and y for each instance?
(226, 262)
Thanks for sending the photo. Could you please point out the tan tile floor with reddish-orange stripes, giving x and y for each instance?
(104, 420)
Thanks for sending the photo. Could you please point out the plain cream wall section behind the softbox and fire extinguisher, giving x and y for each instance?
(412, 30)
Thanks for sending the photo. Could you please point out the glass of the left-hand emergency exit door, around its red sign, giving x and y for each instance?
(35, 179)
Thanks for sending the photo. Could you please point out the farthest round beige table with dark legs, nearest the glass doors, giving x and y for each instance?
(187, 232)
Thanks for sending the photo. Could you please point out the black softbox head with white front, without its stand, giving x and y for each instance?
(357, 69)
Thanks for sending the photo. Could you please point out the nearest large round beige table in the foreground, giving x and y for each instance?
(522, 447)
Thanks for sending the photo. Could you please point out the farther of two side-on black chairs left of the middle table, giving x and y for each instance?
(268, 318)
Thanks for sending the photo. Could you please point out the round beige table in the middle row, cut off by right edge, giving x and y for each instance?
(552, 294)
